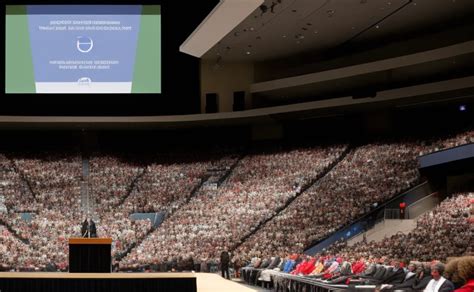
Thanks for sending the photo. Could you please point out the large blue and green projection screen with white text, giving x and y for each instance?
(83, 49)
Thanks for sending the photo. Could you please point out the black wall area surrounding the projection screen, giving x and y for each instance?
(173, 99)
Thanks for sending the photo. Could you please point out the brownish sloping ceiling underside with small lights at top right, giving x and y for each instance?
(281, 28)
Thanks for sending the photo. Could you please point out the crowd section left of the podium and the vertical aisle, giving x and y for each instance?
(53, 183)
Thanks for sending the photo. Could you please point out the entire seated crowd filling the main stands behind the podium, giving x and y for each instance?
(260, 184)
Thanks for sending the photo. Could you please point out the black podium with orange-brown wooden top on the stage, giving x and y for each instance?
(90, 255)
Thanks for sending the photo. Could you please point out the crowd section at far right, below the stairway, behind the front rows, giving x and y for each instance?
(444, 232)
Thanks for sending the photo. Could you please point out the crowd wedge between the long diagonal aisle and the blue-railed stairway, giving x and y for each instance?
(369, 175)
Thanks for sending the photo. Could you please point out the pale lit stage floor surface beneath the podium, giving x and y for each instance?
(206, 282)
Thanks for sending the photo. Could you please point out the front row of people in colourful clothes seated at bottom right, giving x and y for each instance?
(380, 273)
